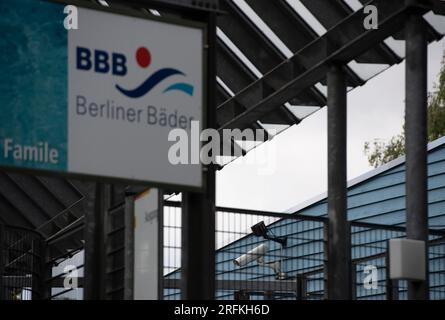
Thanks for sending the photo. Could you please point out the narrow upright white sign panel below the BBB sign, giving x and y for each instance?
(146, 246)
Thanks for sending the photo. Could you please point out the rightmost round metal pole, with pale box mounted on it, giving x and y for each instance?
(416, 141)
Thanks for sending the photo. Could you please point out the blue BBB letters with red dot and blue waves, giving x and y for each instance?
(100, 61)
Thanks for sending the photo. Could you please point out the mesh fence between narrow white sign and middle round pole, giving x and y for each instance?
(293, 271)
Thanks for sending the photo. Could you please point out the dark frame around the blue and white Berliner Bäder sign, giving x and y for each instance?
(204, 103)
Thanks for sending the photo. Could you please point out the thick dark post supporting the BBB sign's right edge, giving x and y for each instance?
(198, 209)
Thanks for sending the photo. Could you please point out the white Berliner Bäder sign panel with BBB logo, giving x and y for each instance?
(130, 82)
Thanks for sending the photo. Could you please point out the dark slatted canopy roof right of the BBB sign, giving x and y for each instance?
(272, 56)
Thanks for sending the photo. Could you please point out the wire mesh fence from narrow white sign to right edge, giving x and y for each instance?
(298, 270)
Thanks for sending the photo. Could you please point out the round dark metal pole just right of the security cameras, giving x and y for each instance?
(339, 251)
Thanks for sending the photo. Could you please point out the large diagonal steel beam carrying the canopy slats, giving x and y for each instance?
(344, 42)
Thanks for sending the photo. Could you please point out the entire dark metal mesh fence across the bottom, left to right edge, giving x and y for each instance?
(290, 261)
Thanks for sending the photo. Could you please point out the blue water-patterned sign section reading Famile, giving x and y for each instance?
(33, 85)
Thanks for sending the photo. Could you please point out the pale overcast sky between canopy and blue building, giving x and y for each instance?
(375, 110)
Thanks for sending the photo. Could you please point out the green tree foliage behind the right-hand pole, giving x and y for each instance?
(380, 152)
